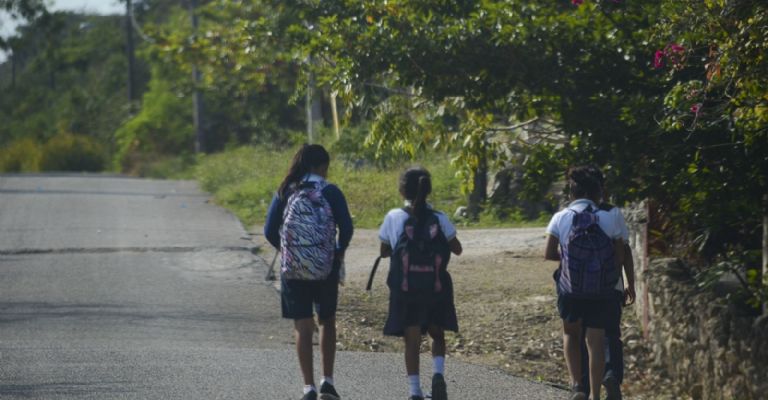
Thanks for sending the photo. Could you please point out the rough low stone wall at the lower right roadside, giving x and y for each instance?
(709, 350)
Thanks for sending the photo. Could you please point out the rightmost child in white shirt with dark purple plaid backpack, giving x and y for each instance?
(591, 249)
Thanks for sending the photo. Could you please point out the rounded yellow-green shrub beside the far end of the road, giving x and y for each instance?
(68, 152)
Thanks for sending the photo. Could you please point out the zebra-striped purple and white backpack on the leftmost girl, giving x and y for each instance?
(308, 234)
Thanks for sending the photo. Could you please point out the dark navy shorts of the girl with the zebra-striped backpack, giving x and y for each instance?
(298, 297)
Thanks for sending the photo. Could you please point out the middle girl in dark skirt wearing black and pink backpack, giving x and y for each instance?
(420, 240)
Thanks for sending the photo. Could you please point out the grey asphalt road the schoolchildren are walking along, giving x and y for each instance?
(121, 288)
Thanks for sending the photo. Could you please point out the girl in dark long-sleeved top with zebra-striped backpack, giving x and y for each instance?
(302, 223)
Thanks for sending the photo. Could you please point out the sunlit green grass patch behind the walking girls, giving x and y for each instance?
(244, 180)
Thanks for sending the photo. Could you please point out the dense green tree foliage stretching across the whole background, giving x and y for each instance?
(667, 96)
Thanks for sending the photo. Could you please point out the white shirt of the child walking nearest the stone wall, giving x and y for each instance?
(611, 222)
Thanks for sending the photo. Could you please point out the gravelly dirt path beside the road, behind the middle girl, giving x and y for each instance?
(505, 302)
